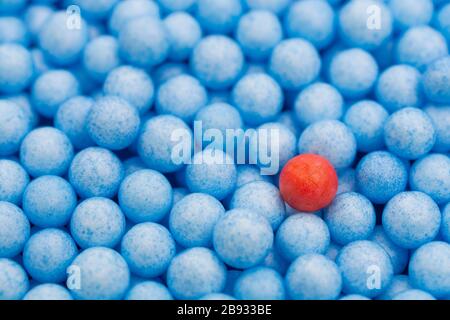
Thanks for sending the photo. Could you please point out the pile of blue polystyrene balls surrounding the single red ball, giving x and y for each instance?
(92, 205)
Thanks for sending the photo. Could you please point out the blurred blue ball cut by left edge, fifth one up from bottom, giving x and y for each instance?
(16, 68)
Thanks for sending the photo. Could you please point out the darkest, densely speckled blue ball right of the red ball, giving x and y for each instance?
(380, 175)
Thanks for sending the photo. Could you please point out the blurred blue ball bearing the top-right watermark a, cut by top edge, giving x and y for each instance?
(365, 24)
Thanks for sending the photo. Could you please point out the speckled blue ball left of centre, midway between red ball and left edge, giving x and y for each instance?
(145, 196)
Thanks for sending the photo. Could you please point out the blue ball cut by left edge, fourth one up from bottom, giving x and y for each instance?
(14, 125)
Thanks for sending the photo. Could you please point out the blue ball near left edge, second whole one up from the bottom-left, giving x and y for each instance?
(49, 201)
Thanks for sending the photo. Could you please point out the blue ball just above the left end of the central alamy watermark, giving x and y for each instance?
(182, 96)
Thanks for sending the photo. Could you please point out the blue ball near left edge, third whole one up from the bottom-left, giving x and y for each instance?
(46, 151)
